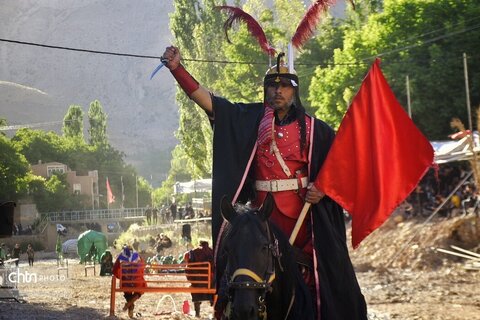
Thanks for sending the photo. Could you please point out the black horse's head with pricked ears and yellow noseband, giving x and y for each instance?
(251, 251)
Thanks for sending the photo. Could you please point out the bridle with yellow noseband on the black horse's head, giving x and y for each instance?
(258, 282)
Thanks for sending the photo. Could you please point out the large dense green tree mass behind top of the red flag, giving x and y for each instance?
(422, 39)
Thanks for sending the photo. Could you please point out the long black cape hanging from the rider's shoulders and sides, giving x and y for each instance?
(235, 128)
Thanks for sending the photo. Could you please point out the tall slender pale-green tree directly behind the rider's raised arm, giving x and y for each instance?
(196, 26)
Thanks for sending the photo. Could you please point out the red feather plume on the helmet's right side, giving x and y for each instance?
(309, 22)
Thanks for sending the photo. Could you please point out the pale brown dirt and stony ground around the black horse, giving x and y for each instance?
(401, 275)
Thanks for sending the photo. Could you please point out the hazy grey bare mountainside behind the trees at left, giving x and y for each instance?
(38, 84)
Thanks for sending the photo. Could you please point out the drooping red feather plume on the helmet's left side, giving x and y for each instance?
(236, 14)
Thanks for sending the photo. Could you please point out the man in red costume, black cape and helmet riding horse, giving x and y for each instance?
(275, 147)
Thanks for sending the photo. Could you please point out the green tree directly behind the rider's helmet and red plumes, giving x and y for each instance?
(243, 82)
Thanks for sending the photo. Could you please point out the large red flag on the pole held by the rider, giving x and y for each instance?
(376, 159)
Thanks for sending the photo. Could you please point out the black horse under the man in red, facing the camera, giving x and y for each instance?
(261, 276)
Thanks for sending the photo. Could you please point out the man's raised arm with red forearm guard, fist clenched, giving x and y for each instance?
(192, 88)
